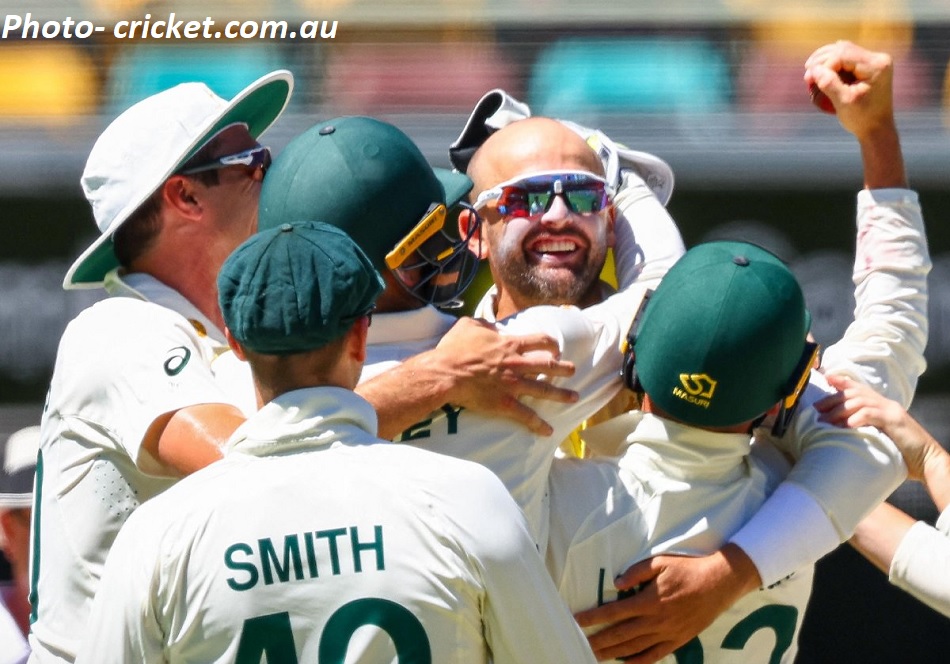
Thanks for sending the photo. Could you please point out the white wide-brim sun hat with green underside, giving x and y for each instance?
(149, 142)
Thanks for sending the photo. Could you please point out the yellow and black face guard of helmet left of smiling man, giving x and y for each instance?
(431, 263)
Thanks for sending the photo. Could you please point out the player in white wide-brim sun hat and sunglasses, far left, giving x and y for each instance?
(134, 401)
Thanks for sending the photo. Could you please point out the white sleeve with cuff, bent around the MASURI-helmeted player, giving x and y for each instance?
(838, 477)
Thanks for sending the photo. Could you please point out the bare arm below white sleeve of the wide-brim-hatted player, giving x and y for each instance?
(188, 439)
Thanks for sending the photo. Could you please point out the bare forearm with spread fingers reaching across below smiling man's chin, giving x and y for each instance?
(475, 367)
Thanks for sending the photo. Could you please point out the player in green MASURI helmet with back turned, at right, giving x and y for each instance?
(720, 343)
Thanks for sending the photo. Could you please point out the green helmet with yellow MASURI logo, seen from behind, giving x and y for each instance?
(723, 338)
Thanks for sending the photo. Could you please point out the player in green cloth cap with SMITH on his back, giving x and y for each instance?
(314, 540)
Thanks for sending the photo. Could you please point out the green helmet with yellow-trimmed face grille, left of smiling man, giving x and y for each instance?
(368, 178)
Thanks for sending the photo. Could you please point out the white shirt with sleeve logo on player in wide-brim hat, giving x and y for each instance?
(121, 363)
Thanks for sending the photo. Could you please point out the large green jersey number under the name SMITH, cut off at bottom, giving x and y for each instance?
(271, 635)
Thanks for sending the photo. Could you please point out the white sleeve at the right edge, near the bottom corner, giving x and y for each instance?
(921, 564)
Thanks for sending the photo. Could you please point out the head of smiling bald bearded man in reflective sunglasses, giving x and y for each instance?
(555, 261)
